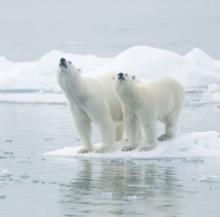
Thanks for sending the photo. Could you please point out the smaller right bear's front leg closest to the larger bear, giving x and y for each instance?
(131, 126)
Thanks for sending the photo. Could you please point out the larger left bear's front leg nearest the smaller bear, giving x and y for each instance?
(106, 128)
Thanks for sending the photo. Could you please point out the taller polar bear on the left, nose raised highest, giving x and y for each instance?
(91, 100)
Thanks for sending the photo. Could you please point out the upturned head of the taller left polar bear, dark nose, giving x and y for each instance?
(67, 68)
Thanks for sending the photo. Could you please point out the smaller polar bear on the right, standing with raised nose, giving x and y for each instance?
(144, 104)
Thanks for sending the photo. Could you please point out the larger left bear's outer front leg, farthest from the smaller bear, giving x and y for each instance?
(83, 126)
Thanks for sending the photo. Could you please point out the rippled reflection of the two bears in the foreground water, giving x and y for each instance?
(127, 188)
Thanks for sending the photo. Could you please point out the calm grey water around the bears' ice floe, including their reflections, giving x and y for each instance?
(38, 186)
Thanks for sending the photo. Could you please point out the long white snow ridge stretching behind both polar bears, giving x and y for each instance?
(193, 70)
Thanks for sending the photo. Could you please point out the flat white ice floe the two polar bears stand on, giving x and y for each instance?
(191, 145)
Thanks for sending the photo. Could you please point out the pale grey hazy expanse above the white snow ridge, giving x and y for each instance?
(31, 28)
